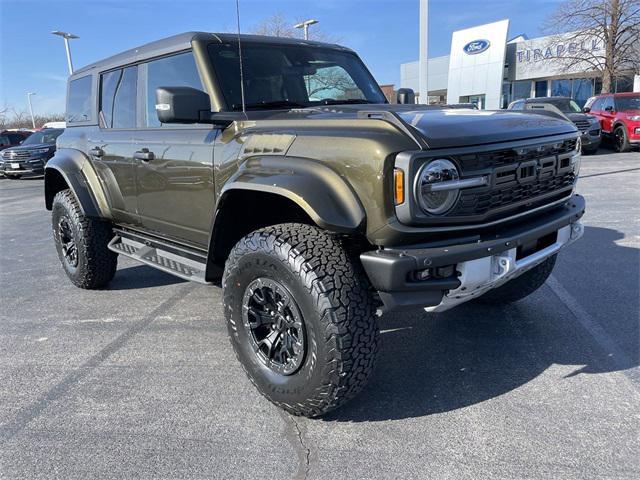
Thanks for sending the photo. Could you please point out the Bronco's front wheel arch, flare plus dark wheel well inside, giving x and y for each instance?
(271, 190)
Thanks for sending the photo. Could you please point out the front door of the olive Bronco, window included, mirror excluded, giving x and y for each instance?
(173, 163)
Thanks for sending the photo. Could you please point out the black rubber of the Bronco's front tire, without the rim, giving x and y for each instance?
(336, 303)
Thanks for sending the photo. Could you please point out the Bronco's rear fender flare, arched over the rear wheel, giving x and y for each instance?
(76, 171)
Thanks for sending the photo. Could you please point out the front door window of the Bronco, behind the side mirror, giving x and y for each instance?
(175, 71)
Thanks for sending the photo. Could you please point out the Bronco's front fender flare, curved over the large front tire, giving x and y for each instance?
(316, 188)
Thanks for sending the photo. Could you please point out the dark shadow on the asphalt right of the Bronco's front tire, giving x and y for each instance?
(434, 363)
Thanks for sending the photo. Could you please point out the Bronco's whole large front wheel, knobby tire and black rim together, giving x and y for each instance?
(301, 317)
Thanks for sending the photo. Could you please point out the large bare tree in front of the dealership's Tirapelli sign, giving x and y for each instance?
(603, 35)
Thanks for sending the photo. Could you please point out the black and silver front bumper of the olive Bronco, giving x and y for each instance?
(493, 259)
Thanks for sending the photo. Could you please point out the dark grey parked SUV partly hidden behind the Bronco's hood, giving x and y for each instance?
(588, 125)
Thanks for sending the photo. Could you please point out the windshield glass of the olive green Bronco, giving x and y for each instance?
(289, 76)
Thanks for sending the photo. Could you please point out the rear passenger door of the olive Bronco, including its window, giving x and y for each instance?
(111, 145)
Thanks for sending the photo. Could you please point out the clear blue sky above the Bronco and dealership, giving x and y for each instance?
(383, 32)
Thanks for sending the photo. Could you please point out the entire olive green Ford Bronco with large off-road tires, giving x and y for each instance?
(278, 168)
